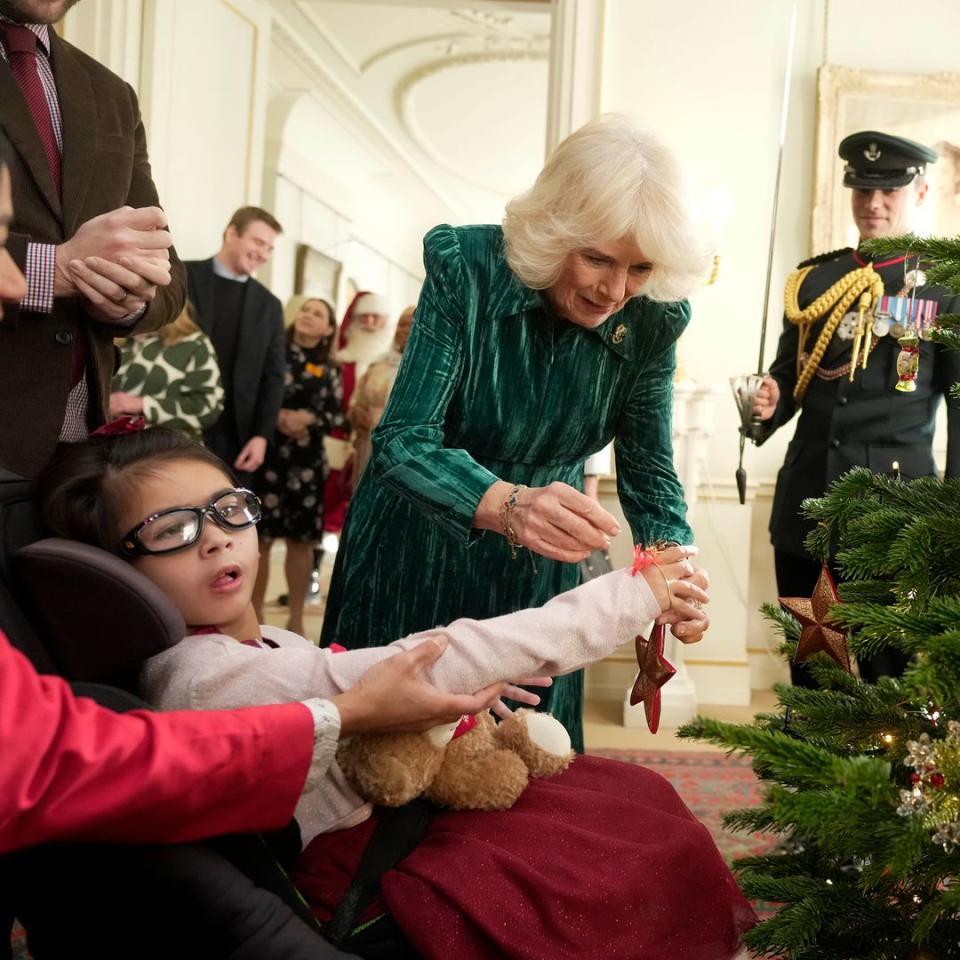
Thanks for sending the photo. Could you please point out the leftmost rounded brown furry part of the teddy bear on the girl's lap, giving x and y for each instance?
(389, 769)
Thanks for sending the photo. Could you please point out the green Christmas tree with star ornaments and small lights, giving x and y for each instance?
(862, 780)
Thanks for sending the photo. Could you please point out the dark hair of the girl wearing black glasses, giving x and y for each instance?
(85, 488)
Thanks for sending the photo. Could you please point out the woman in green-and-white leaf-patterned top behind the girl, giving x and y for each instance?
(170, 377)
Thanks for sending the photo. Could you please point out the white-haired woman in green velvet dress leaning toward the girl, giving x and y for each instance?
(534, 345)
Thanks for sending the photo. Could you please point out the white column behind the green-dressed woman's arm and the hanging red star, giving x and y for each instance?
(692, 428)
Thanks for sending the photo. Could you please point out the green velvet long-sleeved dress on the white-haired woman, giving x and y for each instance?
(493, 386)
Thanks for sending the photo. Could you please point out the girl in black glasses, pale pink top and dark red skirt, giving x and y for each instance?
(602, 860)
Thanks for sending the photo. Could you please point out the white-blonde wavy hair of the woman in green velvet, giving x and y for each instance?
(607, 181)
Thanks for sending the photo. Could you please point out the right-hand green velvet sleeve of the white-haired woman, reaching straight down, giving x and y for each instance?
(650, 491)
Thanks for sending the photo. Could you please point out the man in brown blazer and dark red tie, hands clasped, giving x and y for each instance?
(96, 252)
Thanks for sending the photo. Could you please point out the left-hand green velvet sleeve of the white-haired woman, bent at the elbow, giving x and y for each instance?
(409, 455)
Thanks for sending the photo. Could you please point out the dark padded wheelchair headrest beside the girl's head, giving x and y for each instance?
(99, 618)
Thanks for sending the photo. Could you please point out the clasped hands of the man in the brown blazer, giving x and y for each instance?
(116, 262)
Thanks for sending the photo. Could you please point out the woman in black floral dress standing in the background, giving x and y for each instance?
(293, 474)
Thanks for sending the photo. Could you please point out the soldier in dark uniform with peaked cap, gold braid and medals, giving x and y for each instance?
(845, 311)
